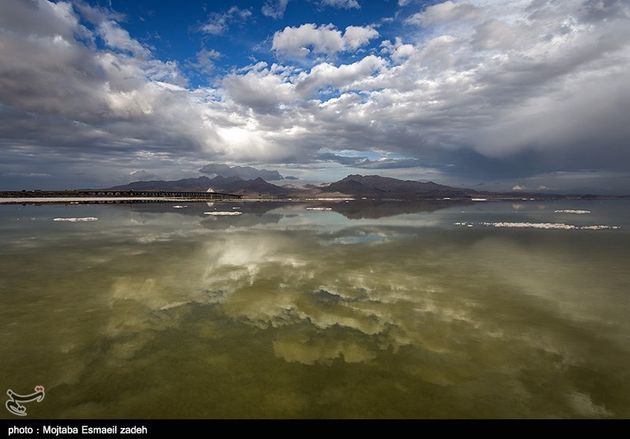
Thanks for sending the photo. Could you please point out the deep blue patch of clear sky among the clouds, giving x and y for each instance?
(174, 30)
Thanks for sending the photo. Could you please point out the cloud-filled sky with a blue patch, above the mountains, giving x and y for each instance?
(491, 94)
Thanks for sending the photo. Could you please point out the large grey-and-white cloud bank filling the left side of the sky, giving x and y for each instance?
(69, 104)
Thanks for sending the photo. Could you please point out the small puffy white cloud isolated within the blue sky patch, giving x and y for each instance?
(323, 40)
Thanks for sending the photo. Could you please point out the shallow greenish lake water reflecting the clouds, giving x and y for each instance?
(366, 310)
